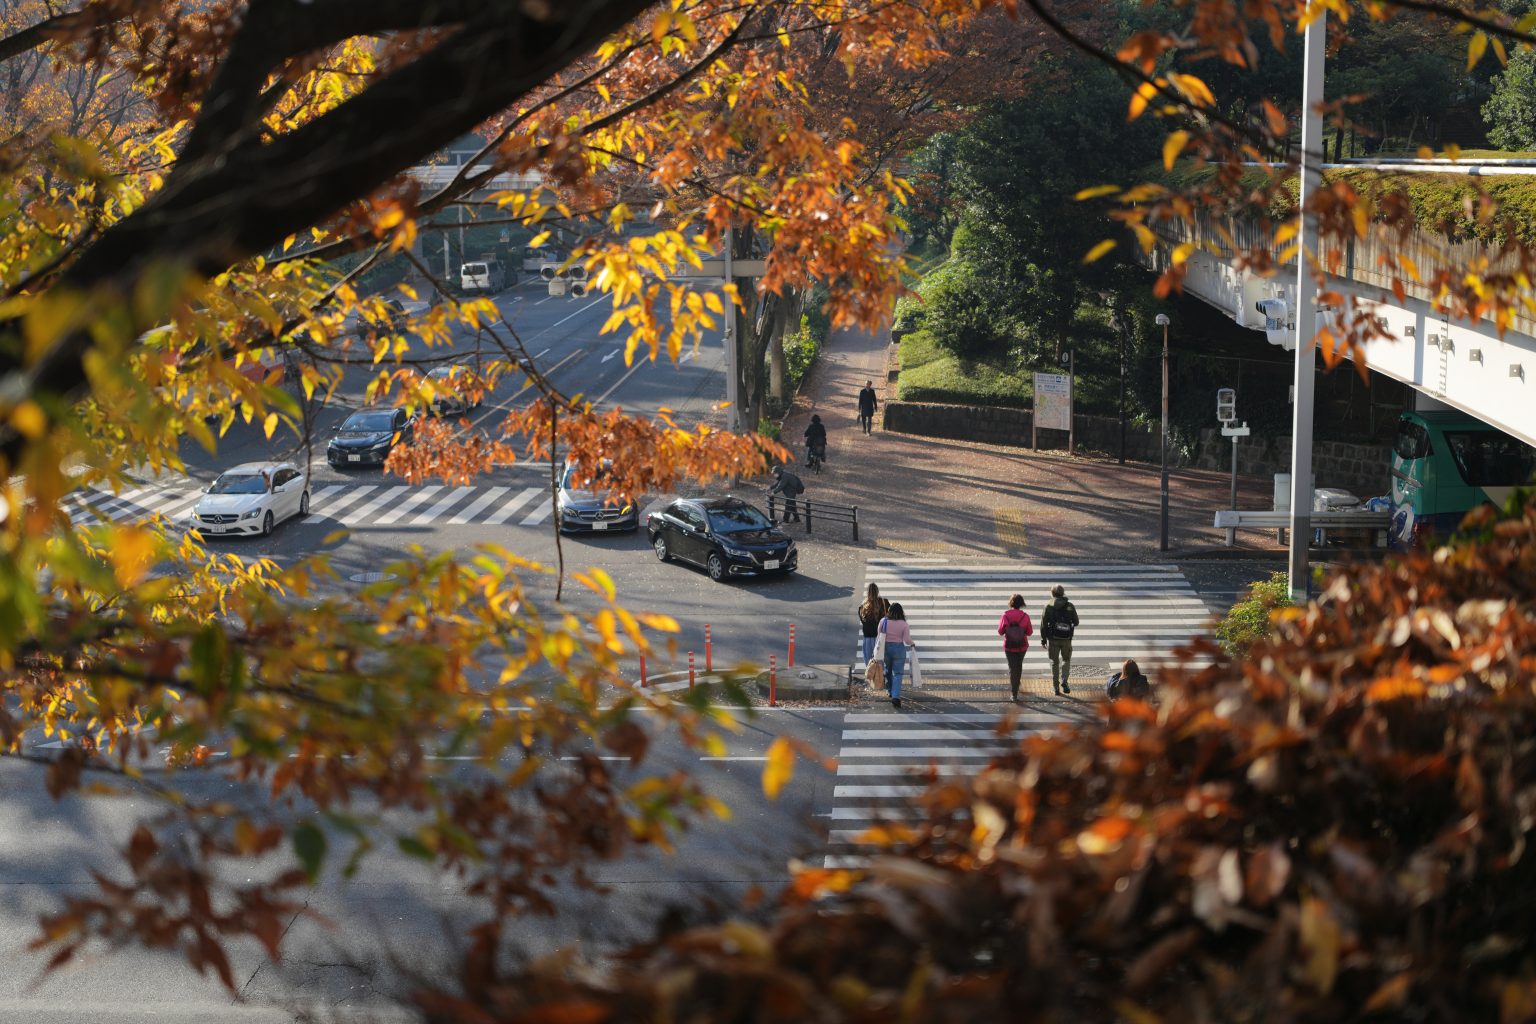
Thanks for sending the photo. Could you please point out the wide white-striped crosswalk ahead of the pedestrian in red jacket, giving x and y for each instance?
(1127, 610)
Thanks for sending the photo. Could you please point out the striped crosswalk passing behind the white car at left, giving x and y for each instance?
(345, 504)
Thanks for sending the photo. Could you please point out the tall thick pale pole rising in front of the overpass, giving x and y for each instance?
(1306, 306)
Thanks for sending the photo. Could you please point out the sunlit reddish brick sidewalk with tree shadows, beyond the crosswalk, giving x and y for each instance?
(930, 497)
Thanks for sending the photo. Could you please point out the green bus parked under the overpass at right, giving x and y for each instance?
(1445, 464)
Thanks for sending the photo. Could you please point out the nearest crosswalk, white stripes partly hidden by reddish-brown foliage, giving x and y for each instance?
(886, 758)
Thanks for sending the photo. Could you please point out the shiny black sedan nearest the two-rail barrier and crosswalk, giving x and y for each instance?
(724, 535)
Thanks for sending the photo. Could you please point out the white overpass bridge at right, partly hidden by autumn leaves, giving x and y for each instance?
(1449, 363)
